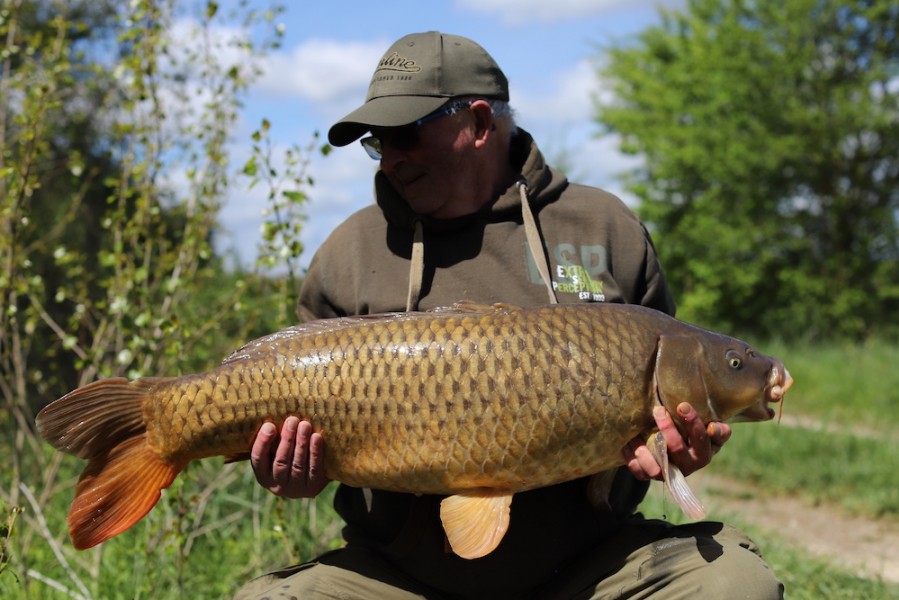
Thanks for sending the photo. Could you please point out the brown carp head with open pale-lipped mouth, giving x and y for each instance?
(723, 378)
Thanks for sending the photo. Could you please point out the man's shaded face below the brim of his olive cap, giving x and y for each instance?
(437, 176)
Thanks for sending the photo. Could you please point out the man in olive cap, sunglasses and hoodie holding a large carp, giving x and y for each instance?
(467, 209)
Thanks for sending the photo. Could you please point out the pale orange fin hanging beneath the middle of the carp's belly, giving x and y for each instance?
(476, 521)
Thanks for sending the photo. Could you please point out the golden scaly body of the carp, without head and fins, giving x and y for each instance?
(468, 392)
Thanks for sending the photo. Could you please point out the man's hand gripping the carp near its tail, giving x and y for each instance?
(290, 465)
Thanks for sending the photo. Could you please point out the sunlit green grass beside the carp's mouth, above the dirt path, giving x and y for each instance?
(850, 456)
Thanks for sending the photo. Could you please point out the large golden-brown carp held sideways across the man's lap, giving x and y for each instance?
(472, 402)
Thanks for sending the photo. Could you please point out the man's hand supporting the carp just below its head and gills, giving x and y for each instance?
(689, 455)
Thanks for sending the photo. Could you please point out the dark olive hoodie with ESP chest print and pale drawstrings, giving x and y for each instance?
(596, 250)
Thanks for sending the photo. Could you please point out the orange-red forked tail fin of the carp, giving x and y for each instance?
(103, 423)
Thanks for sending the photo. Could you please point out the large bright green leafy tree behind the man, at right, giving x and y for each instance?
(770, 138)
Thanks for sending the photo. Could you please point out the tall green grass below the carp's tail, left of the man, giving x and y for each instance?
(213, 530)
